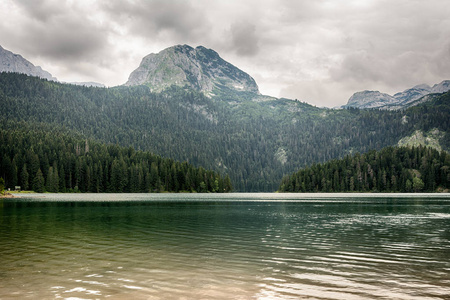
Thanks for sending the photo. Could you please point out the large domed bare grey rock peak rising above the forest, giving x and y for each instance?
(200, 68)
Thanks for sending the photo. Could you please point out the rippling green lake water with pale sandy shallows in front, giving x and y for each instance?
(233, 246)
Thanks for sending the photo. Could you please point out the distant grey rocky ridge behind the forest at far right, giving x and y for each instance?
(407, 98)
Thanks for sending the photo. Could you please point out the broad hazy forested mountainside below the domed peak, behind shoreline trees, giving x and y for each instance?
(255, 142)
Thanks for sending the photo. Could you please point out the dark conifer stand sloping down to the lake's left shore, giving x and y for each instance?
(42, 158)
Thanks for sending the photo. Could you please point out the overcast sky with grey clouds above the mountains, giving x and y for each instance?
(318, 51)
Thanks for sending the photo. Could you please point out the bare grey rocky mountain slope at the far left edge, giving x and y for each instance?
(11, 62)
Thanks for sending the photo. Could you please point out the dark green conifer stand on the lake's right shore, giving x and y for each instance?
(392, 169)
